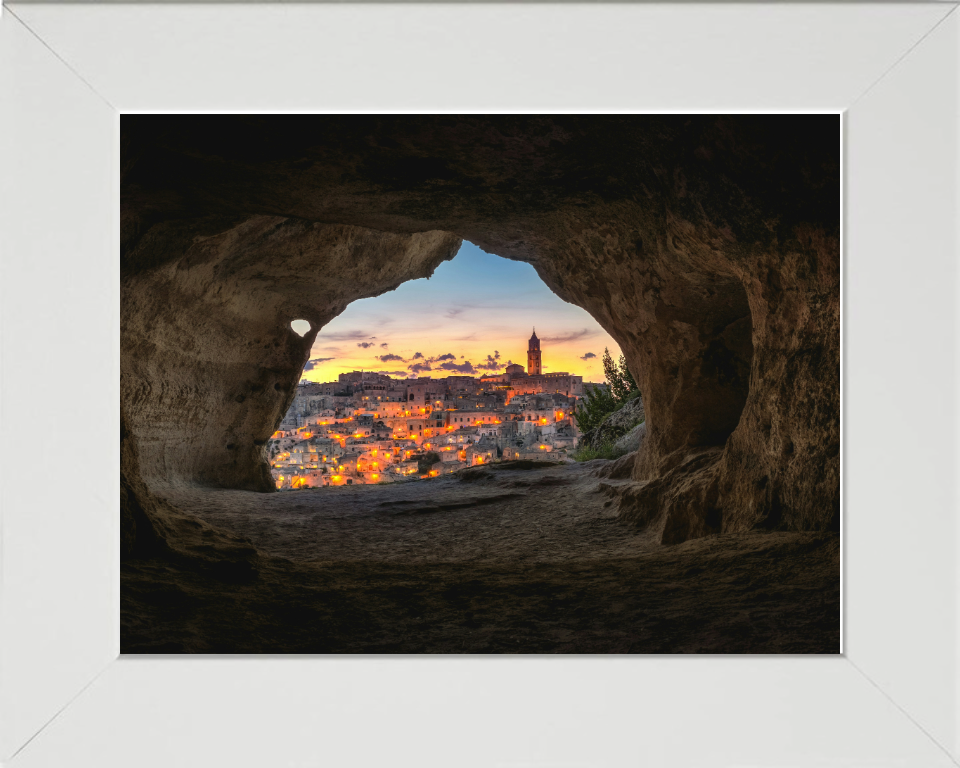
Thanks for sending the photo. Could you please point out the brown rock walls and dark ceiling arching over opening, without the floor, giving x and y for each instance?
(708, 247)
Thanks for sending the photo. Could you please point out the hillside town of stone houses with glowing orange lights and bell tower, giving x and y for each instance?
(369, 428)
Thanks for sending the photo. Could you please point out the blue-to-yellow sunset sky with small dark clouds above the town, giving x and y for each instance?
(473, 316)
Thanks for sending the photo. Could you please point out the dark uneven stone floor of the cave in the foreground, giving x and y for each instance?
(510, 561)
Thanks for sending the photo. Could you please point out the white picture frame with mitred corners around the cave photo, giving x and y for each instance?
(66, 697)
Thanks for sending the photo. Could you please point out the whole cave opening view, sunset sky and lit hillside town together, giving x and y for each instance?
(442, 367)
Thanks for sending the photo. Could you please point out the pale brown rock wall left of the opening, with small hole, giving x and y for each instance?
(209, 362)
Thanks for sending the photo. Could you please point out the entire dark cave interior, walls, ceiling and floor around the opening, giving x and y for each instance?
(708, 247)
